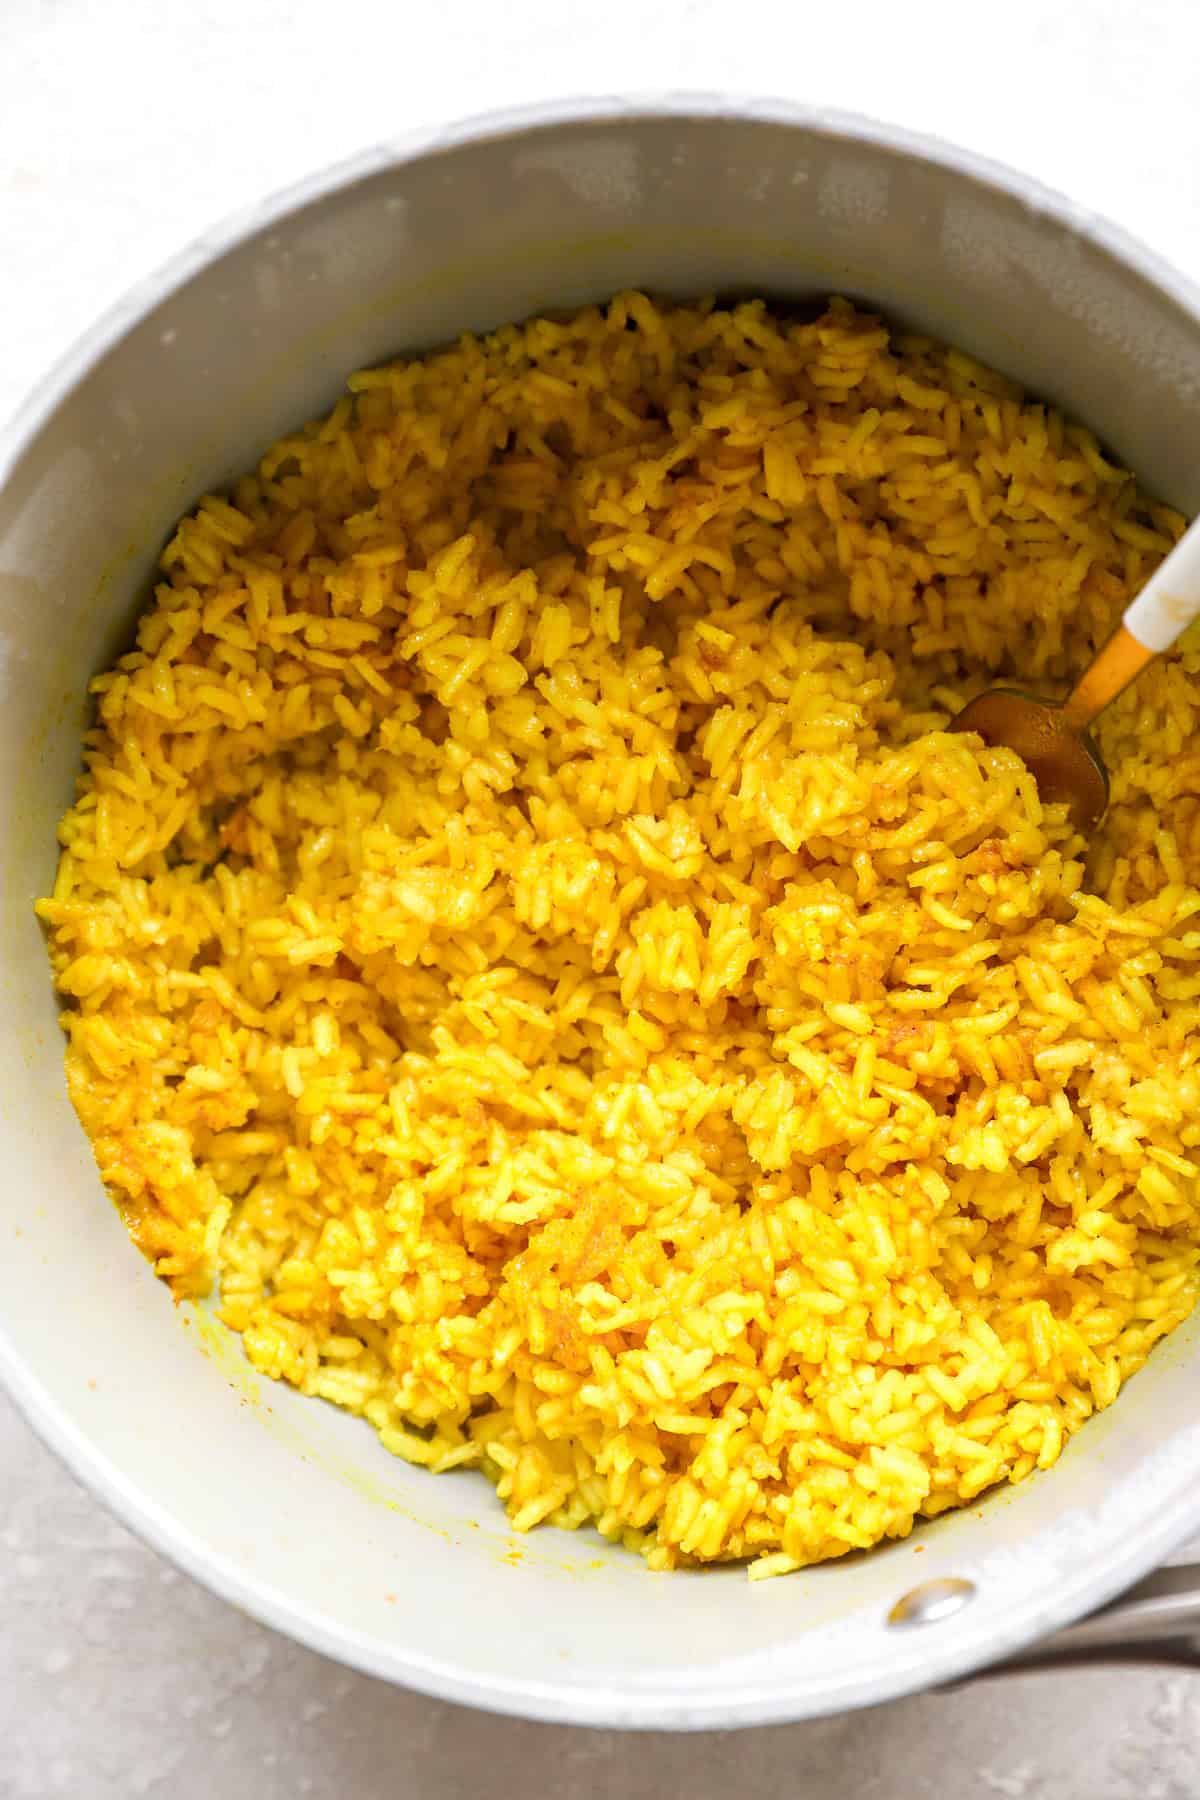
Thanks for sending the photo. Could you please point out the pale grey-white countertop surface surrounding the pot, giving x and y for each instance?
(123, 130)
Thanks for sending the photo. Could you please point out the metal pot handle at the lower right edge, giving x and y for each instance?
(1156, 1623)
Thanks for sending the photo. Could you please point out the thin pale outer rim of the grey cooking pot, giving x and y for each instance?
(917, 1662)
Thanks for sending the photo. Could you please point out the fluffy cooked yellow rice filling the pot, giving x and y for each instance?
(532, 942)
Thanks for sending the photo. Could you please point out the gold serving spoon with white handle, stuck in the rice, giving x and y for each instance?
(1052, 737)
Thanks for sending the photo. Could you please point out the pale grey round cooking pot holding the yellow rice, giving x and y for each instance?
(283, 1506)
